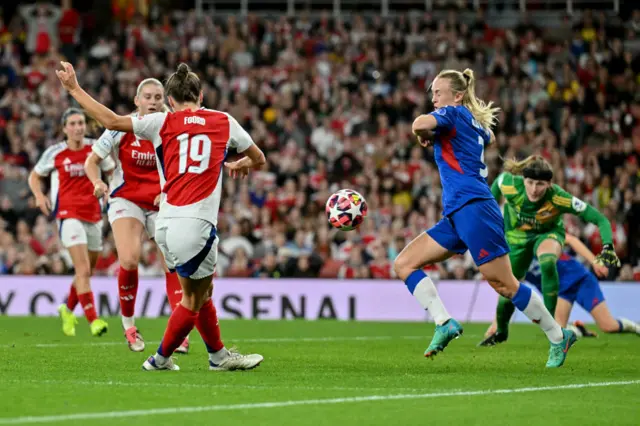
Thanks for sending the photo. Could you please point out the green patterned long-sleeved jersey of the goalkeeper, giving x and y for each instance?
(544, 215)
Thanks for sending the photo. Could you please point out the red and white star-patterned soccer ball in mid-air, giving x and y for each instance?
(346, 209)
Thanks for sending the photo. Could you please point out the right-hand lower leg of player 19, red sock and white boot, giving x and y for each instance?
(220, 358)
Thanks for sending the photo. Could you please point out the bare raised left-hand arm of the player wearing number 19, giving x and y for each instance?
(104, 115)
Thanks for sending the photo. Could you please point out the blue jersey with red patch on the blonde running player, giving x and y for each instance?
(459, 152)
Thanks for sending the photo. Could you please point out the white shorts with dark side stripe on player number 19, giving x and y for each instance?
(189, 246)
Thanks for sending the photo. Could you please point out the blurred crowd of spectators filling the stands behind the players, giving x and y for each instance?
(331, 100)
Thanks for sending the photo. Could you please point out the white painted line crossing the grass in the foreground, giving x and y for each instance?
(279, 404)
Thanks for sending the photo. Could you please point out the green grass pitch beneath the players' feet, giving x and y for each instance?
(315, 373)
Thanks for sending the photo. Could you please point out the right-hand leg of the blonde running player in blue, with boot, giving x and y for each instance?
(498, 274)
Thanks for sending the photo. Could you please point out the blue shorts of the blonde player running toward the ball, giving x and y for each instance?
(477, 227)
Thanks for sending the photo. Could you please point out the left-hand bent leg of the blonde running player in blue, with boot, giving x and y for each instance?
(421, 251)
